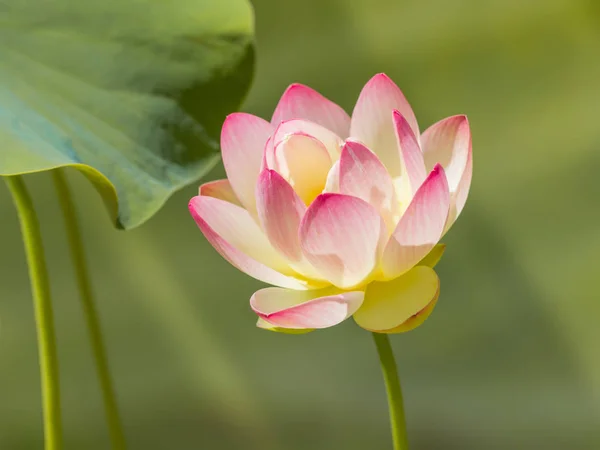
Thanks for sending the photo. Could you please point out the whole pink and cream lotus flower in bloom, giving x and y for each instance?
(342, 214)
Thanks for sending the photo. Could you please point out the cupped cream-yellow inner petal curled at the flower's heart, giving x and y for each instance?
(304, 162)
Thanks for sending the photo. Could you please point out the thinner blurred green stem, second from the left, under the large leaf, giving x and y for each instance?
(115, 428)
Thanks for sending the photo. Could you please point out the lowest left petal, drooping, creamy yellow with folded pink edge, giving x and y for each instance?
(314, 309)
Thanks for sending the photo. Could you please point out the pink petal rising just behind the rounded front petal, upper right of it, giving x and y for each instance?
(362, 175)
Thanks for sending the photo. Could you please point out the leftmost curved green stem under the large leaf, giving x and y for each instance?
(40, 287)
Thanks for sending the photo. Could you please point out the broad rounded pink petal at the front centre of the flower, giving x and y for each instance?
(341, 236)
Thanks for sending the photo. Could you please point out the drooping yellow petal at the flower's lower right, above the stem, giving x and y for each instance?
(401, 304)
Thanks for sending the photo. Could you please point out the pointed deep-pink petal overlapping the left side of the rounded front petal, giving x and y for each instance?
(280, 211)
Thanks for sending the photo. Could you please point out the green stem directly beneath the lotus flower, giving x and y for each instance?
(394, 391)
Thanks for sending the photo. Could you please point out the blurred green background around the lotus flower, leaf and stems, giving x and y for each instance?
(510, 358)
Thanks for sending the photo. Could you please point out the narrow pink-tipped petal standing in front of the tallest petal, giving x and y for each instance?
(410, 152)
